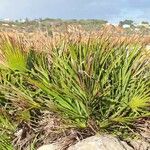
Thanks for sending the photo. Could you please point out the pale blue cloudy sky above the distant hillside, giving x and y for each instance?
(111, 10)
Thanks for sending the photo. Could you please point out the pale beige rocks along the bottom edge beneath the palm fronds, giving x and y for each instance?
(102, 142)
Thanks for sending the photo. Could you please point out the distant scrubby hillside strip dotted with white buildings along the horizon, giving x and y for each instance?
(48, 25)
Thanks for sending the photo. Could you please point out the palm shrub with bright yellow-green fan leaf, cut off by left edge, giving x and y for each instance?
(17, 97)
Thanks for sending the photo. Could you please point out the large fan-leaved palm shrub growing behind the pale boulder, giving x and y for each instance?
(96, 81)
